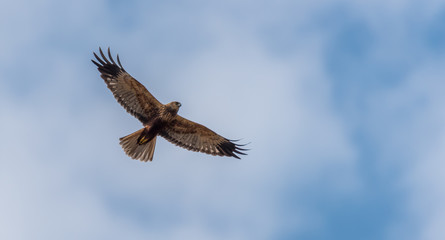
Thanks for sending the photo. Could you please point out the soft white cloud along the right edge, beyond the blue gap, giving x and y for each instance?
(418, 139)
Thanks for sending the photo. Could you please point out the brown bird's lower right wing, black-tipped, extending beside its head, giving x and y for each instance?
(196, 137)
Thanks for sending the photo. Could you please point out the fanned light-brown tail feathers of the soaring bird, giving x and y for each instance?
(137, 147)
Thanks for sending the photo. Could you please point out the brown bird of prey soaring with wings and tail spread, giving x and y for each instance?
(157, 118)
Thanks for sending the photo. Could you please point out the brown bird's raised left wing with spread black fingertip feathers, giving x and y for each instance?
(131, 94)
